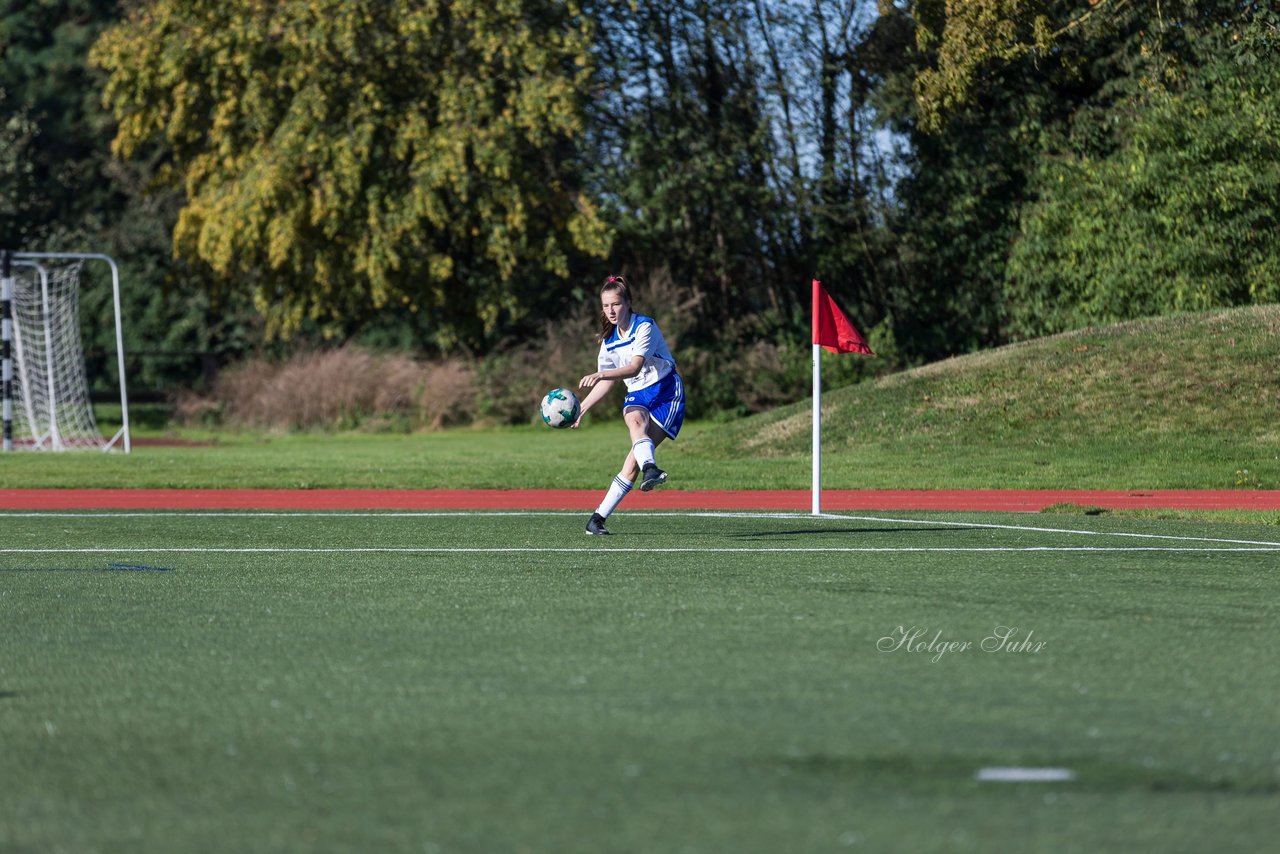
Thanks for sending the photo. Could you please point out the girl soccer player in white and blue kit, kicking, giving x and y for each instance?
(634, 353)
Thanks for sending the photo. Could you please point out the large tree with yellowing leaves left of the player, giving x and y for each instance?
(346, 158)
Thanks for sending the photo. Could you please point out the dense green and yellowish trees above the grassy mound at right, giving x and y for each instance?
(1058, 150)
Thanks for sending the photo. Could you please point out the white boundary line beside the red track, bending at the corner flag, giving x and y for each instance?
(796, 517)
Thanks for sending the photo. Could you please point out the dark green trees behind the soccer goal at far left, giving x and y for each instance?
(62, 191)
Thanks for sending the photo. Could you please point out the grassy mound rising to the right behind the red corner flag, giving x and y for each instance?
(1174, 403)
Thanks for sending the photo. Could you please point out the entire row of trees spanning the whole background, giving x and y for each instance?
(432, 175)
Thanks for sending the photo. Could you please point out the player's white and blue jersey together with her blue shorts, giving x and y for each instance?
(657, 387)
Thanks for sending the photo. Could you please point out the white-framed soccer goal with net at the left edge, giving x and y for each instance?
(47, 390)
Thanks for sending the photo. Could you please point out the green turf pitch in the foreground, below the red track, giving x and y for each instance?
(696, 683)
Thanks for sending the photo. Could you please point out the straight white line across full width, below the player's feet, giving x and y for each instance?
(764, 550)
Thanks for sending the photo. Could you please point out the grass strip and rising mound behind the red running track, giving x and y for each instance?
(1177, 403)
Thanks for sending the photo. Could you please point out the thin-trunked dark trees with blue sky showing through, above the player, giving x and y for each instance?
(735, 148)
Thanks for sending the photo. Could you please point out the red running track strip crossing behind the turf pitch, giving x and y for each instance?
(586, 500)
